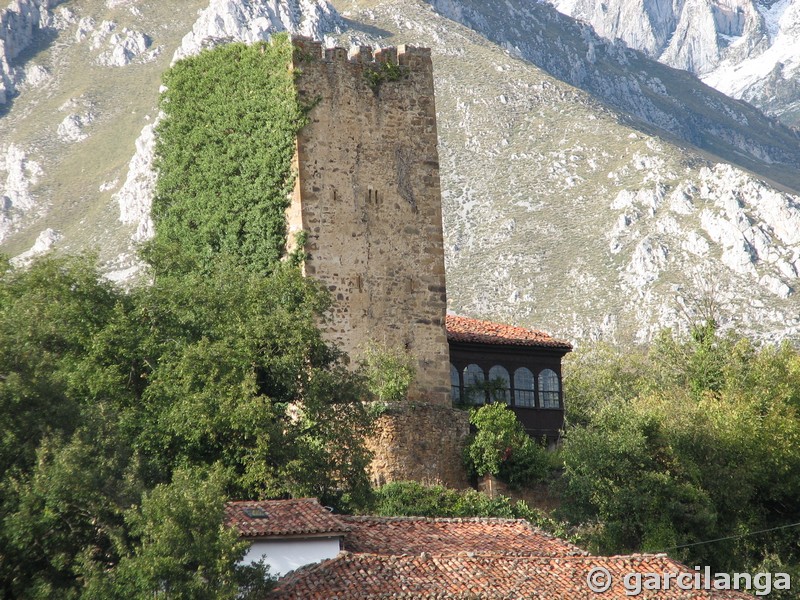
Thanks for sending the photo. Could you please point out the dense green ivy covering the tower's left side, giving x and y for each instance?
(224, 156)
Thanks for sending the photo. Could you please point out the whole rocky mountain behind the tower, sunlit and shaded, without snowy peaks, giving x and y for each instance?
(588, 190)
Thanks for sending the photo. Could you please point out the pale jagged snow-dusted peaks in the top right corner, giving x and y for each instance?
(747, 49)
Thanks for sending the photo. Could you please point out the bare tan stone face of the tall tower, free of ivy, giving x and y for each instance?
(368, 197)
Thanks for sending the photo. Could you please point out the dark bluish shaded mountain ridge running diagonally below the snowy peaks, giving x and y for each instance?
(654, 94)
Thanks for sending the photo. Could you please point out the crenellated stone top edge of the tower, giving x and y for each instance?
(411, 57)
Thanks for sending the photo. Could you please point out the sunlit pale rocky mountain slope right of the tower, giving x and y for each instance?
(561, 214)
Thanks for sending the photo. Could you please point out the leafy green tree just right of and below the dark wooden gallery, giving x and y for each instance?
(623, 471)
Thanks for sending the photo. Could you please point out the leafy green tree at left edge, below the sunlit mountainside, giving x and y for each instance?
(49, 317)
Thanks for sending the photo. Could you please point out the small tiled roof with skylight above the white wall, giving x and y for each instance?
(298, 517)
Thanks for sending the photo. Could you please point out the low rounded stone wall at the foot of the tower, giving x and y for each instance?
(422, 442)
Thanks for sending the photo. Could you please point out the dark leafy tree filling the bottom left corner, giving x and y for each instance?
(67, 511)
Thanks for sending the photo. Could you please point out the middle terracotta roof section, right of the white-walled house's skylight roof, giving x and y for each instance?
(415, 535)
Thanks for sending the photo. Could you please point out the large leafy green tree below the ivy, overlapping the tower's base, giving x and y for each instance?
(244, 377)
